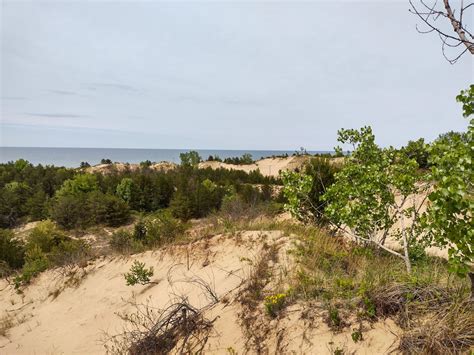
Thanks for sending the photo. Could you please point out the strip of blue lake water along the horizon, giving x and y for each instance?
(72, 157)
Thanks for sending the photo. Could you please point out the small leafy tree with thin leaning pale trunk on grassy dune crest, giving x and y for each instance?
(371, 193)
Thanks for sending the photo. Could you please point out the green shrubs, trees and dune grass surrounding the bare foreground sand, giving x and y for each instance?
(347, 212)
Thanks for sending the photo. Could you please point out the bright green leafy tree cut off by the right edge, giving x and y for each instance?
(449, 216)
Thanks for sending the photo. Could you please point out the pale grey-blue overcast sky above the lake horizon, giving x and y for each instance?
(221, 75)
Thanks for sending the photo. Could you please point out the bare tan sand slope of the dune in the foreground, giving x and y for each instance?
(68, 312)
